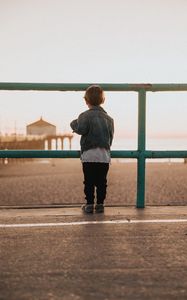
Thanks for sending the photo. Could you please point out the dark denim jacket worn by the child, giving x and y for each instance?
(96, 128)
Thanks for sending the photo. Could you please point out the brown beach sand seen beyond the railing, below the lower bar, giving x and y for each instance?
(59, 181)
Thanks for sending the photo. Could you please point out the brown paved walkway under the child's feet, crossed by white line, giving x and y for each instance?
(60, 253)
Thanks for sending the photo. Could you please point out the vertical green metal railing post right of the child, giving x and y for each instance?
(141, 149)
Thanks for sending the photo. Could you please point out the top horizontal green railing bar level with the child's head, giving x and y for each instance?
(83, 86)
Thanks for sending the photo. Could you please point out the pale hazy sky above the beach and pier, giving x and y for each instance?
(100, 41)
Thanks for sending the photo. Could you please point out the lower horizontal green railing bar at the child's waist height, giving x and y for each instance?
(76, 154)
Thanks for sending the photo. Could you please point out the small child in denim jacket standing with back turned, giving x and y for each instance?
(96, 128)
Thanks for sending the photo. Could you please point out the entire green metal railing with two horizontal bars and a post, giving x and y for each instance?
(141, 154)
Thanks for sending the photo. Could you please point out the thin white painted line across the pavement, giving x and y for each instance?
(92, 223)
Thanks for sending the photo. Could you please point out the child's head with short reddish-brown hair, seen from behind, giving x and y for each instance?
(94, 95)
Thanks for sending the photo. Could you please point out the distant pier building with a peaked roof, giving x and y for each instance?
(41, 127)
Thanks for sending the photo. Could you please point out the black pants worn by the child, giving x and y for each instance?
(95, 175)
